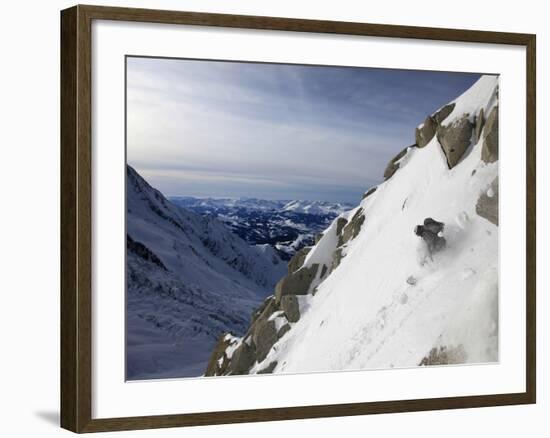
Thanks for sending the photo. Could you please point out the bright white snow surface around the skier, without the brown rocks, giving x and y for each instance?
(365, 314)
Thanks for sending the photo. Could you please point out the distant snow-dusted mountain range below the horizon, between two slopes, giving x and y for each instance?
(286, 225)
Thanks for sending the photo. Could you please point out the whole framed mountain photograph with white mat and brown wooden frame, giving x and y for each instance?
(268, 218)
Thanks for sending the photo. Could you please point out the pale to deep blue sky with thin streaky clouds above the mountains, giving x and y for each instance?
(274, 131)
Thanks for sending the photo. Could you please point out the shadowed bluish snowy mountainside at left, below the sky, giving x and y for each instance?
(189, 279)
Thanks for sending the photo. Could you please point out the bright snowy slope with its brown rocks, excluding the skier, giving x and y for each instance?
(367, 295)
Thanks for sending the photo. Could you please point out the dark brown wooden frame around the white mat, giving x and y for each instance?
(76, 238)
